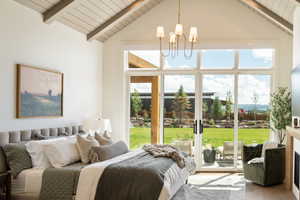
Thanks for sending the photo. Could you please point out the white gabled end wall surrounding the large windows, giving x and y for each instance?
(221, 23)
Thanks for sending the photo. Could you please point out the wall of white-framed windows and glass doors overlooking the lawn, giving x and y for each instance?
(228, 90)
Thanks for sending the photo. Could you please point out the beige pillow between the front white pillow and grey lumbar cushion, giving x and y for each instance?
(84, 145)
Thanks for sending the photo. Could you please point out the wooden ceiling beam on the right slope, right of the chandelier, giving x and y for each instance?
(280, 21)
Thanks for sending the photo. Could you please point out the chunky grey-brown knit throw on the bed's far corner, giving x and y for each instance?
(165, 150)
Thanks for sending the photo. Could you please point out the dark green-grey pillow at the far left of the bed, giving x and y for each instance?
(18, 158)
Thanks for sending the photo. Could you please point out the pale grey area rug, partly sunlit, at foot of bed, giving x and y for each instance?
(218, 187)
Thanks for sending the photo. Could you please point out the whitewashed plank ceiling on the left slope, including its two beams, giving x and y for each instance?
(89, 16)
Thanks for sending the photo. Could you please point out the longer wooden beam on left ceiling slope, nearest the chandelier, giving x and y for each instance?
(97, 31)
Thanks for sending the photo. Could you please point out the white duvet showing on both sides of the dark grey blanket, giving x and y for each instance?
(90, 176)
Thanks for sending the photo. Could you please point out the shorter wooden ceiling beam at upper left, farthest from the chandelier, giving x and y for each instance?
(52, 13)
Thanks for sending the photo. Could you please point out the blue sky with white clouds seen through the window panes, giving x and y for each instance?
(220, 84)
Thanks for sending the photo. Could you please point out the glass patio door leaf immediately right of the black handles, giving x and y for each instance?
(217, 113)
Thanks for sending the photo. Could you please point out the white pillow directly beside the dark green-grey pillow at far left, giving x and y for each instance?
(37, 154)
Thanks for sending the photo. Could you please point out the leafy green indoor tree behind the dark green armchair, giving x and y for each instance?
(281, 112)
